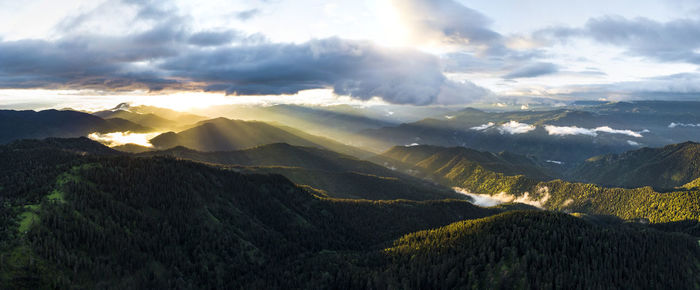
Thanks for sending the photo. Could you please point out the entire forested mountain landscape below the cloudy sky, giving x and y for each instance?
(593, 195)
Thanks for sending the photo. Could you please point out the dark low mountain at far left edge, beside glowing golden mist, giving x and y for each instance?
(16, 125)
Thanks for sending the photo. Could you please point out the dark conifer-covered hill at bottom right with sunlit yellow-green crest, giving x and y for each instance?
(521, 250)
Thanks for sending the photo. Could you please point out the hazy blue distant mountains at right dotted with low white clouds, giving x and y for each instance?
(567, 136)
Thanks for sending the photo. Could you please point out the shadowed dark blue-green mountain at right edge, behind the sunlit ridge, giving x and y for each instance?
(662, 168)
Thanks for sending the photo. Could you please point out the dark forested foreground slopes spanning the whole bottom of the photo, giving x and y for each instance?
(80, 215)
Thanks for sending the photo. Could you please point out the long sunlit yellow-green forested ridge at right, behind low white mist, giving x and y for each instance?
(634, 203)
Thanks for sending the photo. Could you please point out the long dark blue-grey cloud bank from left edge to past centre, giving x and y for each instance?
(169, 55)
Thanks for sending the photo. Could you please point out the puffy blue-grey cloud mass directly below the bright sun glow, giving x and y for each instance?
(355, 68)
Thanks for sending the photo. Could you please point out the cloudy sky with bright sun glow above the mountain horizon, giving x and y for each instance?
(184, 54)
